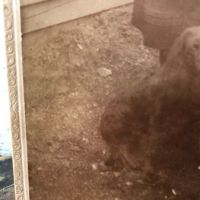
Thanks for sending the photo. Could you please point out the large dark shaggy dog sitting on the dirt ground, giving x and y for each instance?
(157, 126)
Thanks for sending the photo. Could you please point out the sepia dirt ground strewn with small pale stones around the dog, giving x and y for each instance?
(71, 71)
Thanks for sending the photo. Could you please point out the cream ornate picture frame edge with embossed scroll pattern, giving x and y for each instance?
(16, 95)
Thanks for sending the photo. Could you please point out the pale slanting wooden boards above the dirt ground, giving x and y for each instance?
(47, 14)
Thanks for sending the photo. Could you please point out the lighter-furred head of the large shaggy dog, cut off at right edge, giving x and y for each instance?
(186, 50)
